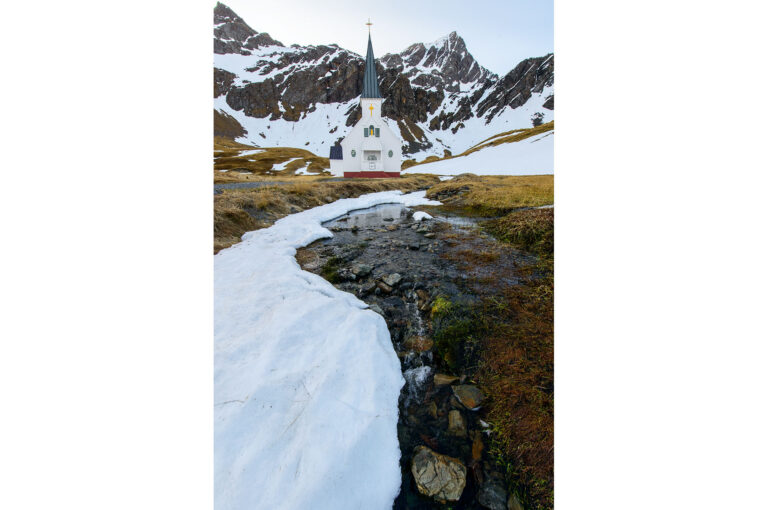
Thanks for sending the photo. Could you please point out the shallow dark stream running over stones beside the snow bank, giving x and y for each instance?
(399, 267)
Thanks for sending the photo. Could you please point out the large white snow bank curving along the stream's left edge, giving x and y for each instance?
(306, 381)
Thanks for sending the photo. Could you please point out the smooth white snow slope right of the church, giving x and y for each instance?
(532, 156)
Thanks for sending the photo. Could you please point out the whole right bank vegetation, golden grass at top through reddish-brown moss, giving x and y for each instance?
(505, 340)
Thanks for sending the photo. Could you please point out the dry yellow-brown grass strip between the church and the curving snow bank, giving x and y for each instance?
(238, 211)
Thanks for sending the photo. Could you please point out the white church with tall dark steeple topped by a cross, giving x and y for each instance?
(371, 149)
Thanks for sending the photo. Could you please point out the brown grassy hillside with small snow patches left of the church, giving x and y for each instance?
(229, 164)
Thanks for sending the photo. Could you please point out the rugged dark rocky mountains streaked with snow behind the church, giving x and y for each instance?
(437, 96)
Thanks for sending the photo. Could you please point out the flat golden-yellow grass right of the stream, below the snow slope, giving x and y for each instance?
(494, 195)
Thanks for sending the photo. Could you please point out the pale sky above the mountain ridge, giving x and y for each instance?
(499, 34)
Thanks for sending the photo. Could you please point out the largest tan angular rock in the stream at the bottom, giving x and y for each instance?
(438, 476)
